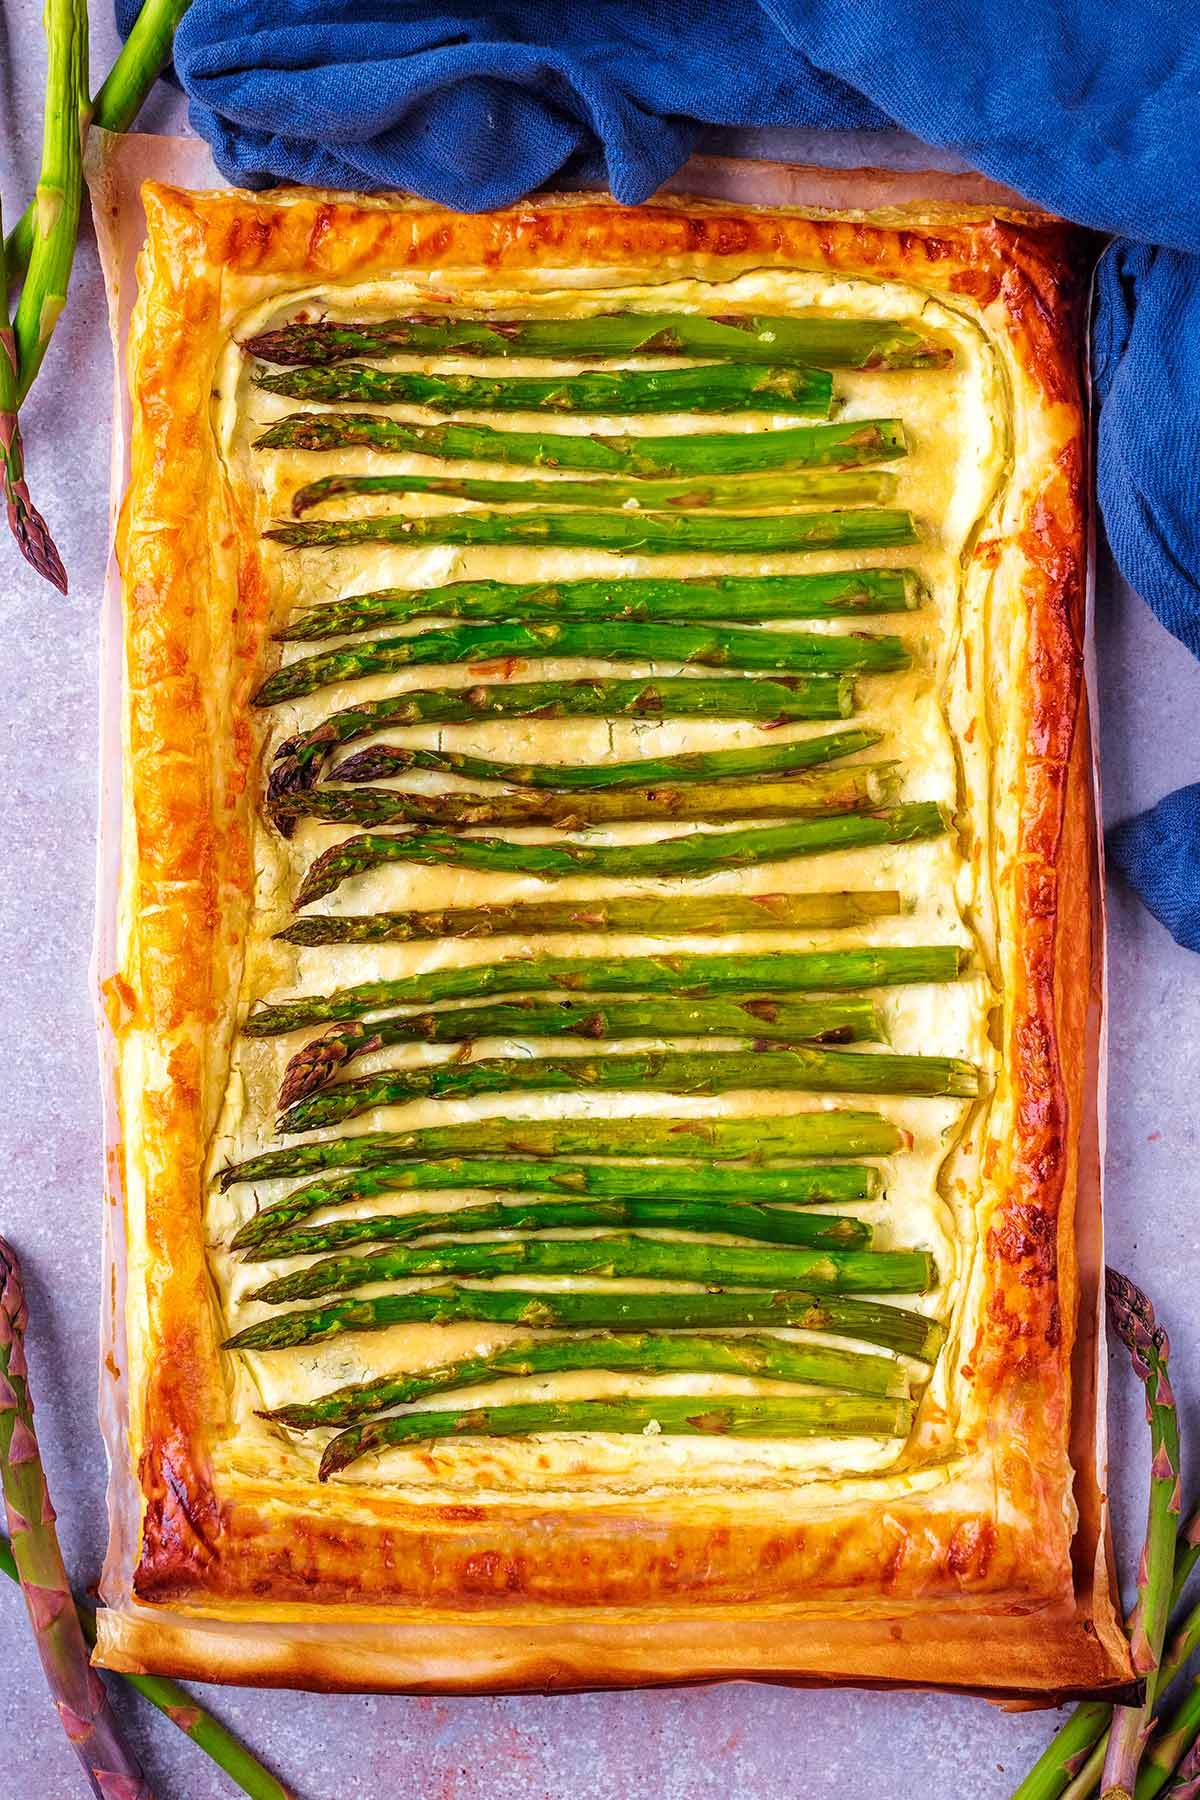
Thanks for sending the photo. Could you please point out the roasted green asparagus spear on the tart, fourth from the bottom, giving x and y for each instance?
(850, 1272)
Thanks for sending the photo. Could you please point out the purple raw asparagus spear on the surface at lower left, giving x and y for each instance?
(80, 1695)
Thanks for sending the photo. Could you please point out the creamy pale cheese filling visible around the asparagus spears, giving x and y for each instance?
(936, 724)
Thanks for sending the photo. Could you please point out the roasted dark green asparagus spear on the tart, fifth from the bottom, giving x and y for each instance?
(767, 1225)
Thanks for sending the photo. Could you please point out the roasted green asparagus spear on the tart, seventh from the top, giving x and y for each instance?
(710, 647)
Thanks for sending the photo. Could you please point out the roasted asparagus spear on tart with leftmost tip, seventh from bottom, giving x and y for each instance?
(744, 1140)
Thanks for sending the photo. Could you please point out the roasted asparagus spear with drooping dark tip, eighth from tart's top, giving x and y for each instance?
(771, 703)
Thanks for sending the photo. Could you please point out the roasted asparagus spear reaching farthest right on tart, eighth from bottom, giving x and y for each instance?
(661, 1072)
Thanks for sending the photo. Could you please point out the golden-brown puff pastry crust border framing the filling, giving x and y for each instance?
(593, 1588)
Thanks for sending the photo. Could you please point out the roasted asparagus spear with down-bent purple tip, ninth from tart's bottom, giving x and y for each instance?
(760, 1021)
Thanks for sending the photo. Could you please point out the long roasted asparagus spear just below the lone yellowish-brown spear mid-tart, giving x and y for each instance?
(676, 976)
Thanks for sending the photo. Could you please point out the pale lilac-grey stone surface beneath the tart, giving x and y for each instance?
(737, 1743)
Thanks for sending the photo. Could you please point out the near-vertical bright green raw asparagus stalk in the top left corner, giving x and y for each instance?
(60, 186)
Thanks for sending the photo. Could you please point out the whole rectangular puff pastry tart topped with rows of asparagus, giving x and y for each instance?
(607, 951)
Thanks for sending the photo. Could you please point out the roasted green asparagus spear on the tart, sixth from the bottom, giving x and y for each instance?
(602, 1182)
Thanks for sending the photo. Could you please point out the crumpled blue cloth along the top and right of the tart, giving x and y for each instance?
(1089, 107)
